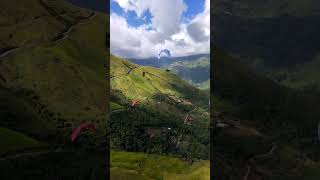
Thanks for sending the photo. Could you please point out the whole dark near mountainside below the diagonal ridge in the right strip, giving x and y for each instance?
(263, 129)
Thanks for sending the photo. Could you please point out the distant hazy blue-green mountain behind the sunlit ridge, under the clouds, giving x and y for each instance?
(195, 68)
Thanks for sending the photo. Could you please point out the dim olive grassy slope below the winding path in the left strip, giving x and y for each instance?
(67, 75)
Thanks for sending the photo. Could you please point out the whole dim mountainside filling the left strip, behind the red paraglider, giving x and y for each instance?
(52, 78)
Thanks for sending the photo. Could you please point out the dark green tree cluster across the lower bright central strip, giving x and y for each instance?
(175, 137)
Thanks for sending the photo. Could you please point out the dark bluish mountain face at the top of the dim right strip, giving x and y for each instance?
(271, 42)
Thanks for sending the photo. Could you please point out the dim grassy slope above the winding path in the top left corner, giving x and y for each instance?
(30, 24)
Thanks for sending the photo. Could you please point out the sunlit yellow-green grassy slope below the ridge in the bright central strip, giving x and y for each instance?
(156, 81)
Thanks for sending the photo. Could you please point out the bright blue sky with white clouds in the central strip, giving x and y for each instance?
(142, 28)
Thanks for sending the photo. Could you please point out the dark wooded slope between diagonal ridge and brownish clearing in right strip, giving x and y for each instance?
(239, 84)
